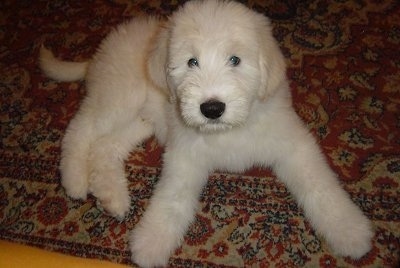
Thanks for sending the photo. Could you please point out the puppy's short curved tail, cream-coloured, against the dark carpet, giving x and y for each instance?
(59, 70)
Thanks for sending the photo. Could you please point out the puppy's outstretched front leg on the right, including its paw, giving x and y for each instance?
(302, 167)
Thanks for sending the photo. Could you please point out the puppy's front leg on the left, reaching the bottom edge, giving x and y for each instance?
(171, 210)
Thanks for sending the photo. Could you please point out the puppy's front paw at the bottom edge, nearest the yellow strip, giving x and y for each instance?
(152, 245)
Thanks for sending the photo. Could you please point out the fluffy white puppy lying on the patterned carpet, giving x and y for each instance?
(210, 84)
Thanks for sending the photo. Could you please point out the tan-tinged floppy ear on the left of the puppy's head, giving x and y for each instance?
(157, 58)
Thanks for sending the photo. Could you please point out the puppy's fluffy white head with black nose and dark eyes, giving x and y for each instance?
(221, 58)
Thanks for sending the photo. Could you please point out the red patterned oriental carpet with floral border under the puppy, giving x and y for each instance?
(344, 64)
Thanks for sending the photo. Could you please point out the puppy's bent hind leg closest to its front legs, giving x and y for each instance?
(107, 180)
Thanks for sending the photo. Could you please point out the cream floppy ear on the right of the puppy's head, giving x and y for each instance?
(271, 61)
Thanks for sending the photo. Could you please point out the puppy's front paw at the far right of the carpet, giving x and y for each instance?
(352, 237)
